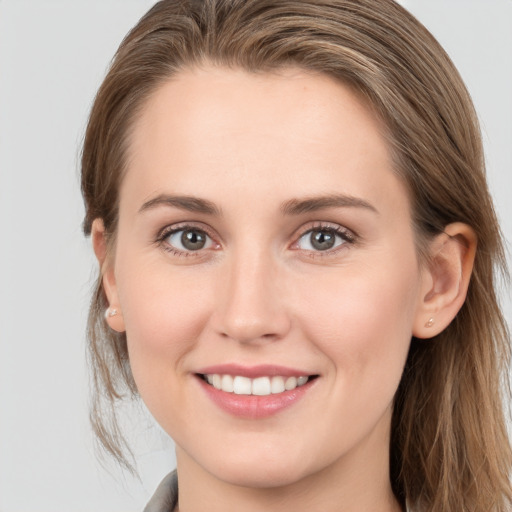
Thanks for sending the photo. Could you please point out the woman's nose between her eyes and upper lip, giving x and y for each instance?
(251, 306)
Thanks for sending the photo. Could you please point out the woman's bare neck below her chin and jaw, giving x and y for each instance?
(356, 482)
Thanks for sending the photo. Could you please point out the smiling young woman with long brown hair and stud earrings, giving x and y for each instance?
(288, 204)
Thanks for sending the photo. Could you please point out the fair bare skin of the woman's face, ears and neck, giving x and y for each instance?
(259, 292)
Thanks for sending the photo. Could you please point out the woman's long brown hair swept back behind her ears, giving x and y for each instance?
(449, 447)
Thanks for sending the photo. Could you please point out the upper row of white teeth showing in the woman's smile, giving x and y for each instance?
(261, 386)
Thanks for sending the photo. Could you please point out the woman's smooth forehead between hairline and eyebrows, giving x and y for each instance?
(290, 131)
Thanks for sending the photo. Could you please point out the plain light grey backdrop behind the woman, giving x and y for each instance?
(53, 55)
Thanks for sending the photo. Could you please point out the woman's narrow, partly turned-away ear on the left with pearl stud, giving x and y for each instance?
(113, 315)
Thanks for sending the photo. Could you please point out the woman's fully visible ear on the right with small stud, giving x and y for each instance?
(445, 281)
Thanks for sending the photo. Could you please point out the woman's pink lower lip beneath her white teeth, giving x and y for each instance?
(252, 406)
